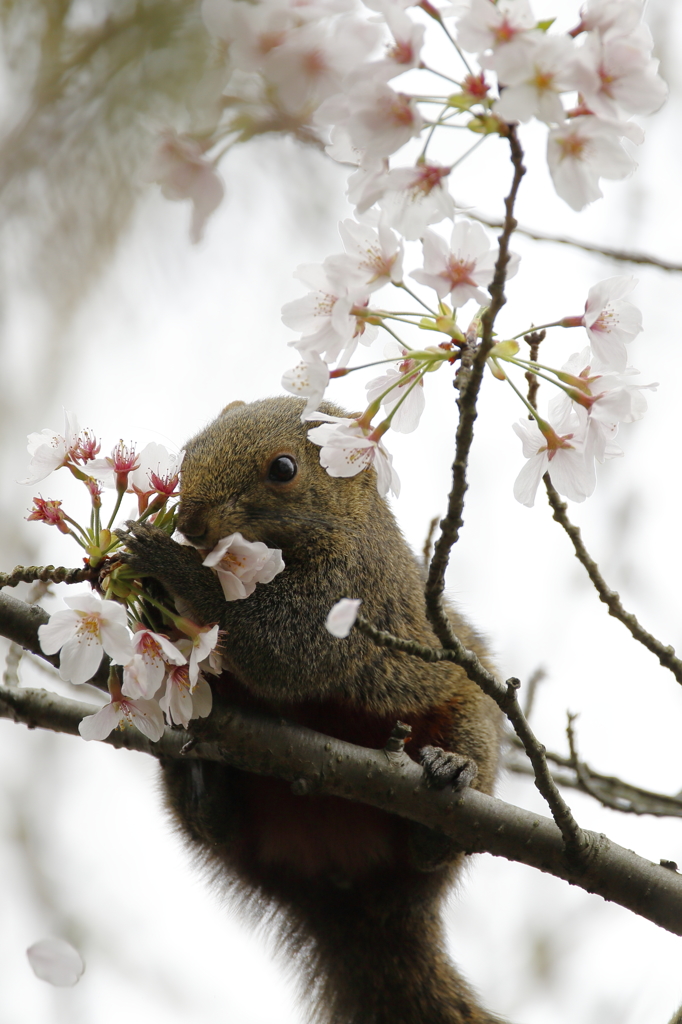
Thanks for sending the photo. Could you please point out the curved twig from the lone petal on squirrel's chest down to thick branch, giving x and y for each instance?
(506, 699)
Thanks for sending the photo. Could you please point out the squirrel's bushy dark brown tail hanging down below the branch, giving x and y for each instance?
(370, 958)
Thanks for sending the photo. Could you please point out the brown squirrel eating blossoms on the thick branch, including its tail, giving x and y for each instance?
(357, 891)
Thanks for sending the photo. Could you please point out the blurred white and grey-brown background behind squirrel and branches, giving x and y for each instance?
(107, 309)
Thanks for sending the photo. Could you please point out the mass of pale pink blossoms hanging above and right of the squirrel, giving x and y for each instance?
(331, 67)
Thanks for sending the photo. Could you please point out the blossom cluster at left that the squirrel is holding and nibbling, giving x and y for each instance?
(163, 655)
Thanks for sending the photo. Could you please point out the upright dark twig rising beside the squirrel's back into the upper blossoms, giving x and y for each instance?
(470, 381)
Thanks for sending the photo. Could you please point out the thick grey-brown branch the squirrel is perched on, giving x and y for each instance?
(394, 783)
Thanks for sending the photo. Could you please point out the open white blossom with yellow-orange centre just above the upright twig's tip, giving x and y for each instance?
(534, 86)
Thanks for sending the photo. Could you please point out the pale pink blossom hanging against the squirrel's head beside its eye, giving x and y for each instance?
(348, 449)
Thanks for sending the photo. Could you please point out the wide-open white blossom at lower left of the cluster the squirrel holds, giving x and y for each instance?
(83, 633)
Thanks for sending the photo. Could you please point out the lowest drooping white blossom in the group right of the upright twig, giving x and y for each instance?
(562, 455)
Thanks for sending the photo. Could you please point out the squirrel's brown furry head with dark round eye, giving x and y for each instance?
(254, 472)
